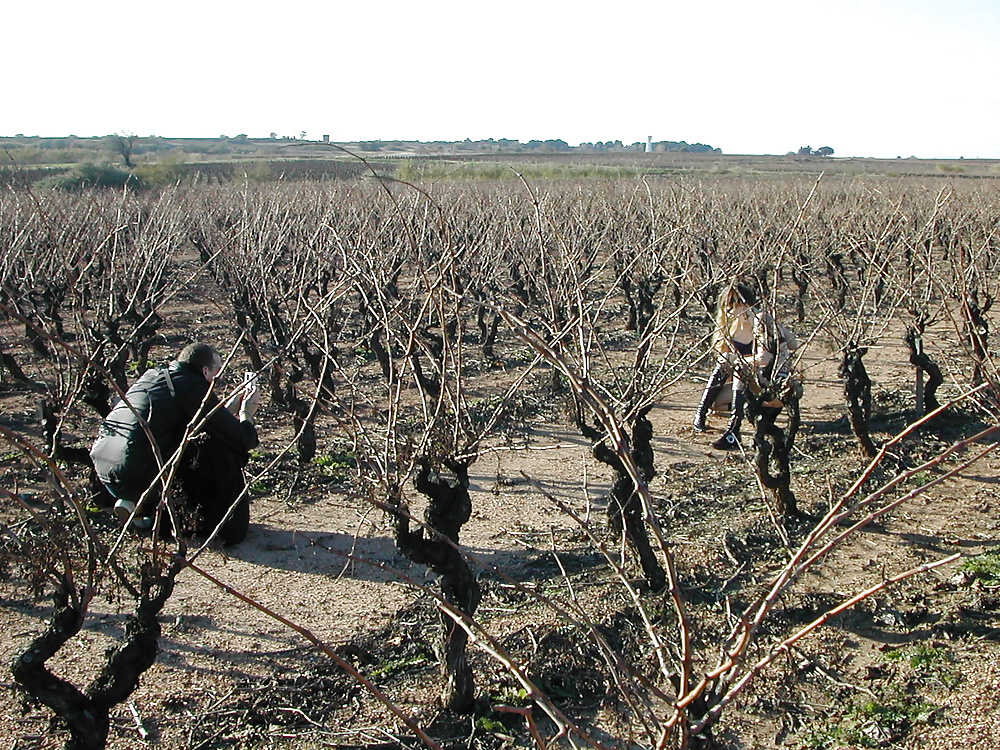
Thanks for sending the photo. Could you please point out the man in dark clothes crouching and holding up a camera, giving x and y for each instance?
(210, 470)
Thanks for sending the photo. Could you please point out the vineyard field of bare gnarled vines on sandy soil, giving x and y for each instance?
(480, 516)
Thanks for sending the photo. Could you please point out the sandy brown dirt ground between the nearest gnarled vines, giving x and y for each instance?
(228, 675)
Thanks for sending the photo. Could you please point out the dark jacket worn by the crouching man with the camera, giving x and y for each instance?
(166, 398)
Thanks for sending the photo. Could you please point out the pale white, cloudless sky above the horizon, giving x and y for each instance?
(880, 78)
